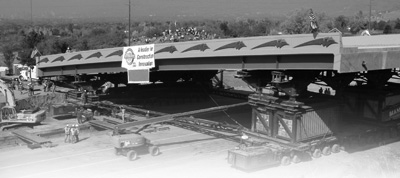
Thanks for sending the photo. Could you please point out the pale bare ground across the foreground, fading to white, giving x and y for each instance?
(184, 154)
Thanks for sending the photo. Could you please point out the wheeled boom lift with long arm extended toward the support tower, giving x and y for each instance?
(130, 143)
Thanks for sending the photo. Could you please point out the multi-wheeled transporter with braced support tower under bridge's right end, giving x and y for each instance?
(307, 128)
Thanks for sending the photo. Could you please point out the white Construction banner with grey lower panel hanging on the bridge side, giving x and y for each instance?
(138, 60)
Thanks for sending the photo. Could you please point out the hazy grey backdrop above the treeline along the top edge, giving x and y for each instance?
(181, 9)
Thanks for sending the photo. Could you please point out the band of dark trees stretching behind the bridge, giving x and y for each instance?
(18, 40)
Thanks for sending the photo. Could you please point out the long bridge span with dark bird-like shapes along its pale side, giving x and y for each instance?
(328, 51)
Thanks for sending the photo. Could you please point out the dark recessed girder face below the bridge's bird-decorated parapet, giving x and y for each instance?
(282, 62)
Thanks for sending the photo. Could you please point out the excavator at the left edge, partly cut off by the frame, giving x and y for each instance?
(9, 116)
